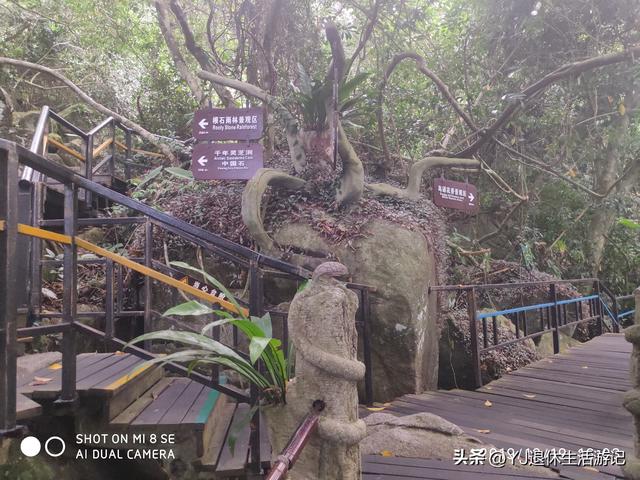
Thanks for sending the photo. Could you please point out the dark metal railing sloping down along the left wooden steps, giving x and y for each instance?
(258, 267)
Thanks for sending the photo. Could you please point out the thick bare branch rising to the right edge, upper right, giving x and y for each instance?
(567, 70)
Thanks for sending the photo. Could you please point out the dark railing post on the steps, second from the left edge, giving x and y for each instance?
(70, 294)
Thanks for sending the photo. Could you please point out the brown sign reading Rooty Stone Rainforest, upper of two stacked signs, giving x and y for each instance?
(228, 123)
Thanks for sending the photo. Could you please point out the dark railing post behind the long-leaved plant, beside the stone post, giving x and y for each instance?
(256, 308)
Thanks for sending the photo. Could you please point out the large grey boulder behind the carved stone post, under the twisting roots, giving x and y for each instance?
(401, 265)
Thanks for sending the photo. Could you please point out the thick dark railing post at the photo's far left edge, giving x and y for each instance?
(8, 294)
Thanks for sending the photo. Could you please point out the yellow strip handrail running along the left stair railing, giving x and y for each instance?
(143, 269)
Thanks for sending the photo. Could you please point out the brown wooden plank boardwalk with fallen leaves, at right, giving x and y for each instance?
(571, 401)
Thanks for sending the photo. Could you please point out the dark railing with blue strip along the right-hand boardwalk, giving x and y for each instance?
(535, 320)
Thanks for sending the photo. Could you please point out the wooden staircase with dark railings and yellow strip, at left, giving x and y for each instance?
(112, 391)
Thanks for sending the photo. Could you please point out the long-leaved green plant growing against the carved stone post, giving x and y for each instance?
(202, 349)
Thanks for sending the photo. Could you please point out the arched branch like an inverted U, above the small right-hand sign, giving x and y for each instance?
(442, 87)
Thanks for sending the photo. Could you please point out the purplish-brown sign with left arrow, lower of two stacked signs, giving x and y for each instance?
(226, 161)
